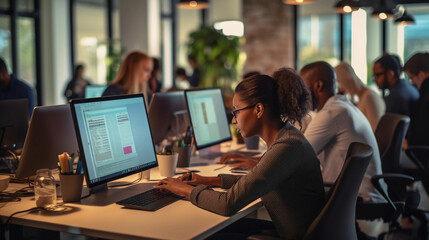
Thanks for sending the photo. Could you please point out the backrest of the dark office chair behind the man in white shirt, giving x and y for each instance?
(390, 134)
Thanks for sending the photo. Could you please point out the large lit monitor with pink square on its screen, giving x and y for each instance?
(114, 137)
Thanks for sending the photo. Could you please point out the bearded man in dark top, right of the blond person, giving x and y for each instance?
(387, 71)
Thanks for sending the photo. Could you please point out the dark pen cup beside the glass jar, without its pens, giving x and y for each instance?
(71, 187)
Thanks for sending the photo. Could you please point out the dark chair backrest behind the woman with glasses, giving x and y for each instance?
(337, 218)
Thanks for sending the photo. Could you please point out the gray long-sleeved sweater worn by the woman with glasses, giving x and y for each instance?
(287, 179)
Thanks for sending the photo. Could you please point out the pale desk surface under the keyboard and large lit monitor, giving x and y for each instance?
(99, 216)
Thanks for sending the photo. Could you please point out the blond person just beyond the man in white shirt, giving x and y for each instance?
(370, 103)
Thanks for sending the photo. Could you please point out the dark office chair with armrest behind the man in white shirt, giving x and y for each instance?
(390, 134)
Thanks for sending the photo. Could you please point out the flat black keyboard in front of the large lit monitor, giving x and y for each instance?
(150, 200)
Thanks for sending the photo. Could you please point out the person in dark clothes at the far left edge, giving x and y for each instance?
(14, 88)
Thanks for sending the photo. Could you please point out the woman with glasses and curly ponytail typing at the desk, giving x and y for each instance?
(287, 178)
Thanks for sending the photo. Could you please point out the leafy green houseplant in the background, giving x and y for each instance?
(217, 56)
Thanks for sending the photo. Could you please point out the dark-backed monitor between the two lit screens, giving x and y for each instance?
(168, 115)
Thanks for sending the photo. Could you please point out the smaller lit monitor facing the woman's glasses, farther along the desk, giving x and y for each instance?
(208, 116)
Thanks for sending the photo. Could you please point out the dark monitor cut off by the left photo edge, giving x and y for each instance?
(13, 123)
